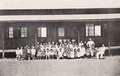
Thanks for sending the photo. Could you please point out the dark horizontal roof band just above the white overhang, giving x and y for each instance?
(59, 11)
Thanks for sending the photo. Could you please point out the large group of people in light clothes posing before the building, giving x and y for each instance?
(66, 50)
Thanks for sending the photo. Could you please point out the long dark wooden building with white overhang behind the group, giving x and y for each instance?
(27, 27)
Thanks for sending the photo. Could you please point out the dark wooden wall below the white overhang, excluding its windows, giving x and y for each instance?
(73, 30)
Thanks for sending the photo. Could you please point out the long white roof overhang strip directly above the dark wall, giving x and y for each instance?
(59, 17)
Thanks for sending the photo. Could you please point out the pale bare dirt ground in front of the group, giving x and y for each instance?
(72, 67)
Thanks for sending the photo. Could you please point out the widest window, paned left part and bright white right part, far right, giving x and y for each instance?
(92, 30)
